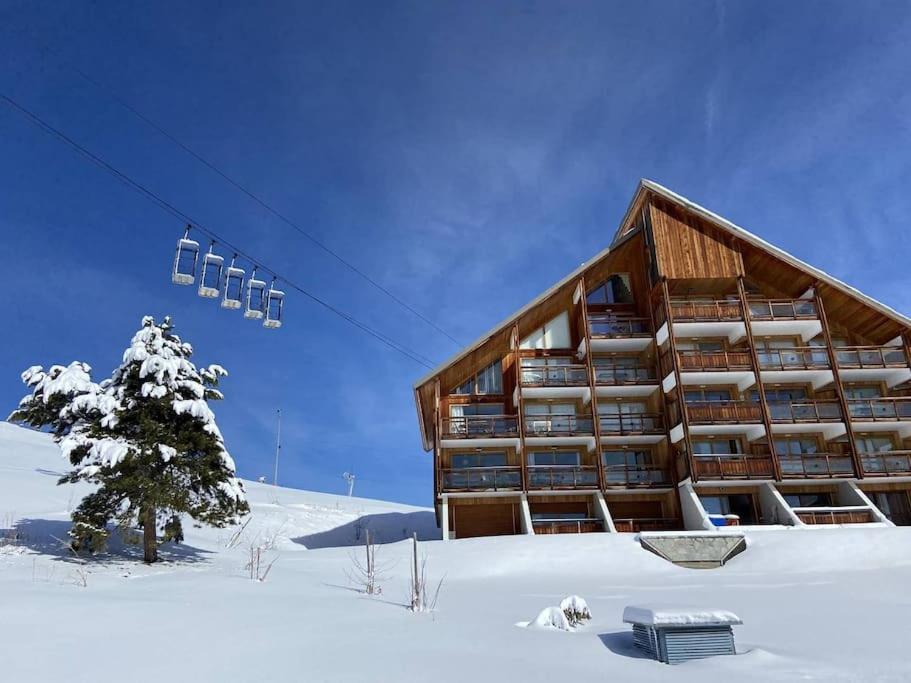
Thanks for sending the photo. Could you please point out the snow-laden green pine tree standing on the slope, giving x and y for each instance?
(146, 437)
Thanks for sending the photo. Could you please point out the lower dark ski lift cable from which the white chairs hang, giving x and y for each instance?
(196, 225)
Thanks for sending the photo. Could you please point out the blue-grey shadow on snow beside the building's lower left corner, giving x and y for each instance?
(387, 527)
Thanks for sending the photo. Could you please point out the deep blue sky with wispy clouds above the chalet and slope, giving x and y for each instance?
(464, 154)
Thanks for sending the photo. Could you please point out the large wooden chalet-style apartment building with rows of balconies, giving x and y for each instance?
(689, 353)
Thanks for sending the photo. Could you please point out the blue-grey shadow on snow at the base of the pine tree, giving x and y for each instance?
(50, 537)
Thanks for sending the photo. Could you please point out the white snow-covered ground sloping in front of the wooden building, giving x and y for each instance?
(827, 605)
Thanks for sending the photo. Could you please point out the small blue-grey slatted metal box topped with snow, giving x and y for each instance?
(677, 634)
